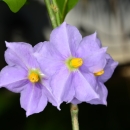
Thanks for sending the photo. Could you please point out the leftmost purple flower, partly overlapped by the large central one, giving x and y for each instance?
(23, 75)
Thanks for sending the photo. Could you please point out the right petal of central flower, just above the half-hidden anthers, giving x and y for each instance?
(97, 61)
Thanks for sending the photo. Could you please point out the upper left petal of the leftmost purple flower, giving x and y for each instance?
(20, 54)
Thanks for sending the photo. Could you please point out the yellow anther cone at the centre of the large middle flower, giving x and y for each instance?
(76, 62)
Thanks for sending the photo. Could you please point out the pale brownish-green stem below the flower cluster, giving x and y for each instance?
(74, 117)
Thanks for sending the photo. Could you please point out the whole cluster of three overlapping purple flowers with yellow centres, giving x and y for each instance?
(68, 68)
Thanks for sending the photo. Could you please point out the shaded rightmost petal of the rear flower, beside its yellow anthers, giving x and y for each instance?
(108, 70)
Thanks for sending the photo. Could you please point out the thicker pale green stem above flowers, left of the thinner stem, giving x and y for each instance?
(51, 14)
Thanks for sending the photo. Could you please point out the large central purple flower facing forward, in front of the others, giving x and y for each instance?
(72, 62)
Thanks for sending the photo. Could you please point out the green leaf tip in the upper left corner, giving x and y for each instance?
(15, 5)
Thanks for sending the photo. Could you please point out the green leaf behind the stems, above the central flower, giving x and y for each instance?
(65, 6)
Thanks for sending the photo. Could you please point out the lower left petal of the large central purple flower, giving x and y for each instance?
(59, 83)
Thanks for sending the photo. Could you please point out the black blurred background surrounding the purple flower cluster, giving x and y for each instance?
(29, 25)
